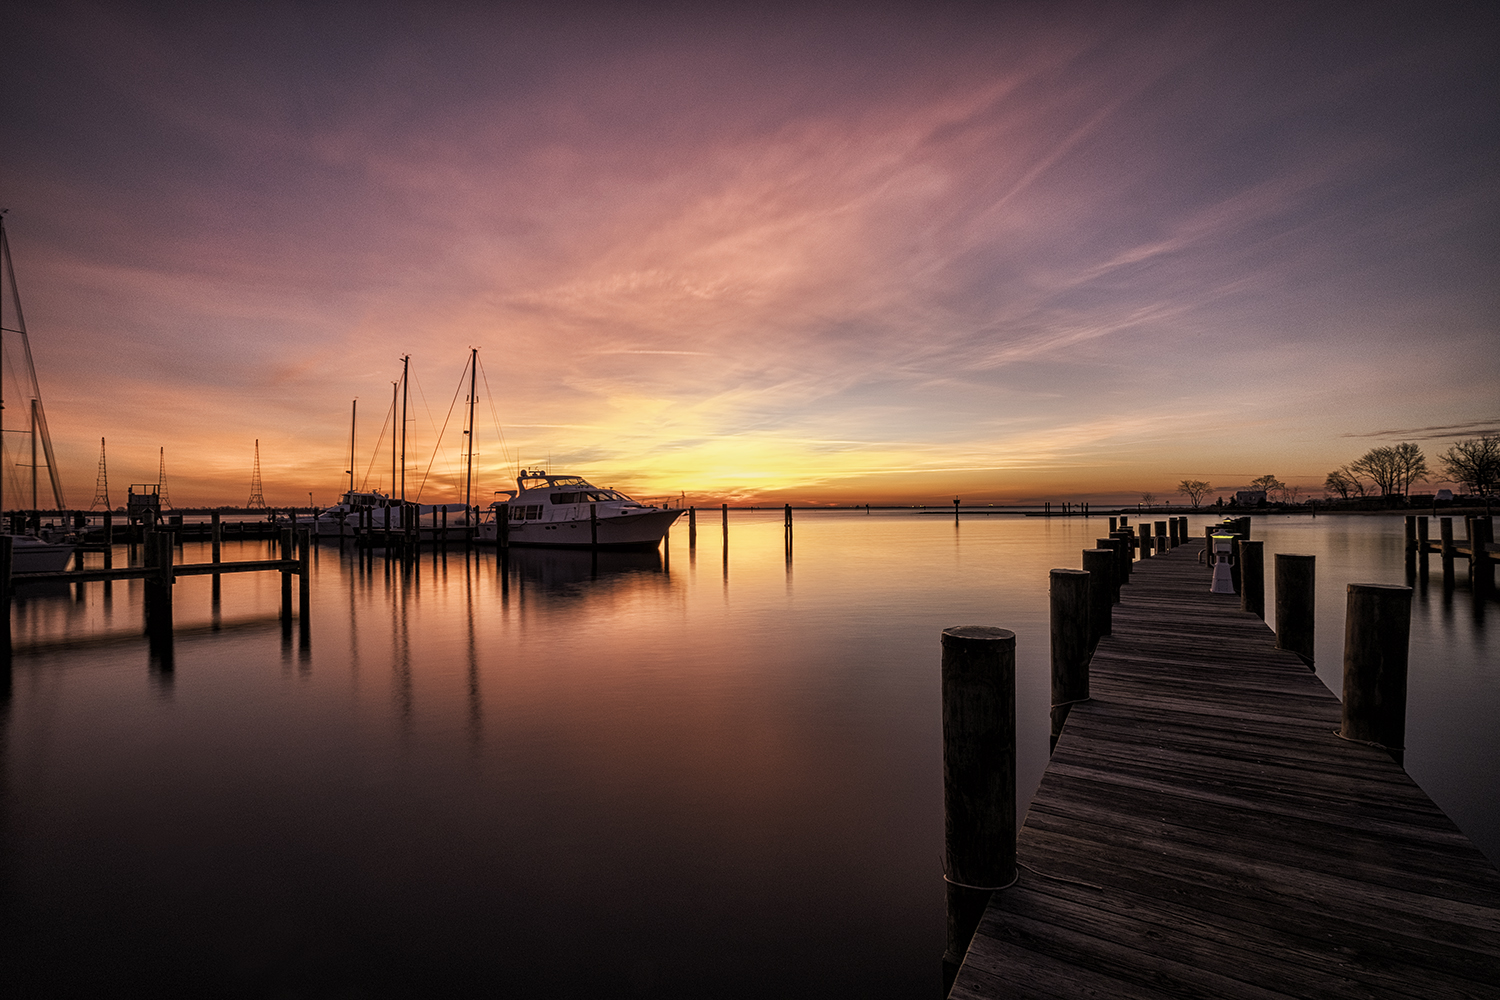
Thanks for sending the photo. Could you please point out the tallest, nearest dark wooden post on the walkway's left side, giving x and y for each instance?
(979, 770)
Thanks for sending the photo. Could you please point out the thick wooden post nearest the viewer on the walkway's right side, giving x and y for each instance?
(1378, 632)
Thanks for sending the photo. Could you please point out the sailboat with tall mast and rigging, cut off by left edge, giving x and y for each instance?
(29, 552)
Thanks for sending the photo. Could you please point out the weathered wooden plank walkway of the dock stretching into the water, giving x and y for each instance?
(1202, 833)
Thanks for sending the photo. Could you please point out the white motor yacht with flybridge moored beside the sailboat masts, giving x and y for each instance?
(571, 512)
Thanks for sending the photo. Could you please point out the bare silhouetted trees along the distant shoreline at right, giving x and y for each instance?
(1388, 472)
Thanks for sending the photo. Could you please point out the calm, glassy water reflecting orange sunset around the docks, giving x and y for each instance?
(704, 776)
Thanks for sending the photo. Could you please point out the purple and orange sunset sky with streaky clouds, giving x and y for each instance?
(811, 254)
